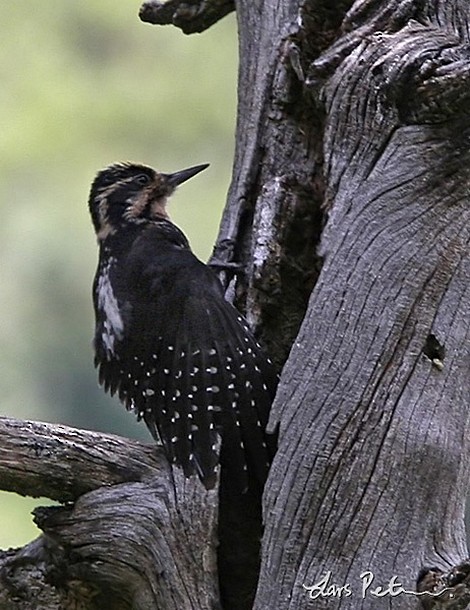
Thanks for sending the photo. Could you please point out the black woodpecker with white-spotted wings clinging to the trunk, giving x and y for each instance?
(166, 341)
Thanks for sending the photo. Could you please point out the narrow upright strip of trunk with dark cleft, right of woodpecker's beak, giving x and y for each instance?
(273, 218)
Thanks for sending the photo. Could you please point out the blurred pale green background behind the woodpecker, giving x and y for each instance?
(84, 84)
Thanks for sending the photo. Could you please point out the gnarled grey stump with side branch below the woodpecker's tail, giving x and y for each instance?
(132, 533)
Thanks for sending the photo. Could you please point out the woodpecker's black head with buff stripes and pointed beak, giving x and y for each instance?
(130, 193)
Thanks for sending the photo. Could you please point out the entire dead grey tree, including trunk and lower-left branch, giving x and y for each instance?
(349, 214)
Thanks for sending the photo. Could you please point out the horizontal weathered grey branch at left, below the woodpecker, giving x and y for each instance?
(62, 463)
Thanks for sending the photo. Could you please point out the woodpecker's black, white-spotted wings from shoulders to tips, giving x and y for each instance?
(191, 368)
